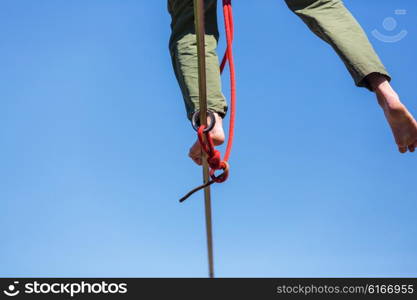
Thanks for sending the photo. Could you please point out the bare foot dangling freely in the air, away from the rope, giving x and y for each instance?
(403, 124)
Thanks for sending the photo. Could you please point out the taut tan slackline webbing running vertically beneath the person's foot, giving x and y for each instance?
(201, 53)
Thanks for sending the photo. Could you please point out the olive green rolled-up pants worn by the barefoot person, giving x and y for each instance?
(328, 19)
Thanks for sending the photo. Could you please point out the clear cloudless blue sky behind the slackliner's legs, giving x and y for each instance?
(94, 141)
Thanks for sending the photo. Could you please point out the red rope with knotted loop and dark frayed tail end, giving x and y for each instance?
(213, 156)
